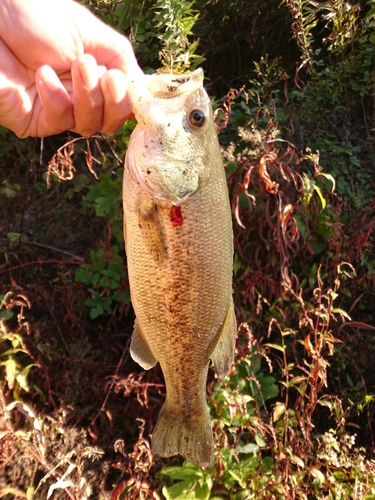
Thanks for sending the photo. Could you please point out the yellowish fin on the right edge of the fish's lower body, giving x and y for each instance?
(223, 354)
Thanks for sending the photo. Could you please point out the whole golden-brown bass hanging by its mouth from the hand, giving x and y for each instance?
(179, 248)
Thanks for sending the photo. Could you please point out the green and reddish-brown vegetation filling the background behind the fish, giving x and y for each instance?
(293, 87)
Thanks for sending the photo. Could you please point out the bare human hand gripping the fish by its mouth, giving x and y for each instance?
(61, 69)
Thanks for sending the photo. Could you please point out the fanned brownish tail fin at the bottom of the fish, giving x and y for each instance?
(190, 437)
